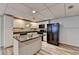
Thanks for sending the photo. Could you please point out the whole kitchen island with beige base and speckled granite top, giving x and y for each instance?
(27, 43)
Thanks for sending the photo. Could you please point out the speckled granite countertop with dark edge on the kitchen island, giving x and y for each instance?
(25, 37)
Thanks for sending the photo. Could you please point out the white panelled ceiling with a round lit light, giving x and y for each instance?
(44, 11)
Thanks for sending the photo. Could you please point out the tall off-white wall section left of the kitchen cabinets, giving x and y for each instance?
(7, 32)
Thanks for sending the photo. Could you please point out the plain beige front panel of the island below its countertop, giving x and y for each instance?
(30, 47)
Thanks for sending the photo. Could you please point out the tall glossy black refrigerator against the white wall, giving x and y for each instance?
(53, 33)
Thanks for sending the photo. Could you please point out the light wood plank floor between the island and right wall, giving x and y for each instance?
(48, 49)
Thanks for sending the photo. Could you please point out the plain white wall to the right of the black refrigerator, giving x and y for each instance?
(69, 30)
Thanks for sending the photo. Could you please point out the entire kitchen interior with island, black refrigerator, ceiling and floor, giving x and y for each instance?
(25, 31)
